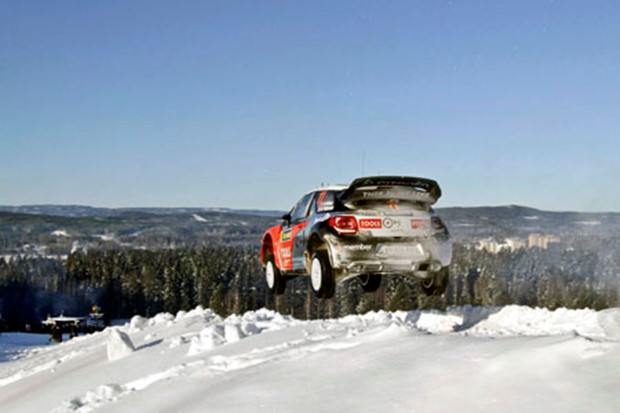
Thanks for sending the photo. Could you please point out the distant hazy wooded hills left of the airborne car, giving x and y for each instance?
(60, 234)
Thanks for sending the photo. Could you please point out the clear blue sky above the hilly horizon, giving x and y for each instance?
(248, 104)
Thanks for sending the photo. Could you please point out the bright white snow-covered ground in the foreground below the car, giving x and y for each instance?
(513, 359)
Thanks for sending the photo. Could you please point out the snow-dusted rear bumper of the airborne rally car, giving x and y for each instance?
(419, 257)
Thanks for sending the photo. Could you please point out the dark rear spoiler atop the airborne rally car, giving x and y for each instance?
(403, 187)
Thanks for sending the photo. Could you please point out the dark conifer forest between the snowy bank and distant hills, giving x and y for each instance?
(229, 280)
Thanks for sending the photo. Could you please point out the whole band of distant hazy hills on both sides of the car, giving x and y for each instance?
(59, 229)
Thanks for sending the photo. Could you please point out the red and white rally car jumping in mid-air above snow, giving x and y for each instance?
(375, 226)
